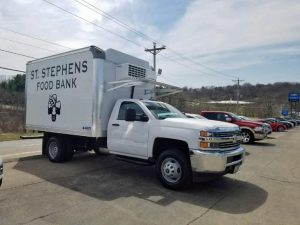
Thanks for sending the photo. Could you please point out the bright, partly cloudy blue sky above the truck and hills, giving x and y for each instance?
(208, 42)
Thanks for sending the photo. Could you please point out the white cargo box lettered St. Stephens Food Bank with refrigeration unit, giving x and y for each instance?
(72, 93)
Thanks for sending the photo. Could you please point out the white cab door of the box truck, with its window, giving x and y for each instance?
(129, 137)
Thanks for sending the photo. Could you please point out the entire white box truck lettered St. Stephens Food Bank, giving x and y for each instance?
(89, 99)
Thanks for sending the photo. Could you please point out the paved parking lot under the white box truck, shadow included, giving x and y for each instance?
(102, 190)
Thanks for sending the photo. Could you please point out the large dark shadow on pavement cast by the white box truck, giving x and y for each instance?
(107, 179)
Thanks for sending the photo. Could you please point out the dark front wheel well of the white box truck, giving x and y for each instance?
(161, 144)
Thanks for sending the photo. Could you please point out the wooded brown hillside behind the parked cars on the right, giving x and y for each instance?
(268, 99)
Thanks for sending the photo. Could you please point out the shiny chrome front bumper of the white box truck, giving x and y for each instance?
(217, 161)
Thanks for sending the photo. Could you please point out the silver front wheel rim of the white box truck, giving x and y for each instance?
(171, 170)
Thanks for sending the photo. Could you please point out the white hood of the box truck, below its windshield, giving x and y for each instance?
(198, 124)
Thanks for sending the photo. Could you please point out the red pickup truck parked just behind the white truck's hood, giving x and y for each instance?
(251, 130)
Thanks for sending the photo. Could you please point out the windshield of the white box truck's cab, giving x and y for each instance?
(163, 110)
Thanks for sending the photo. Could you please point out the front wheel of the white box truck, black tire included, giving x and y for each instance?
(173, 169)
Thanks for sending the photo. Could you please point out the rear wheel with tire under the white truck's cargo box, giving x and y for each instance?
(55, 149)
